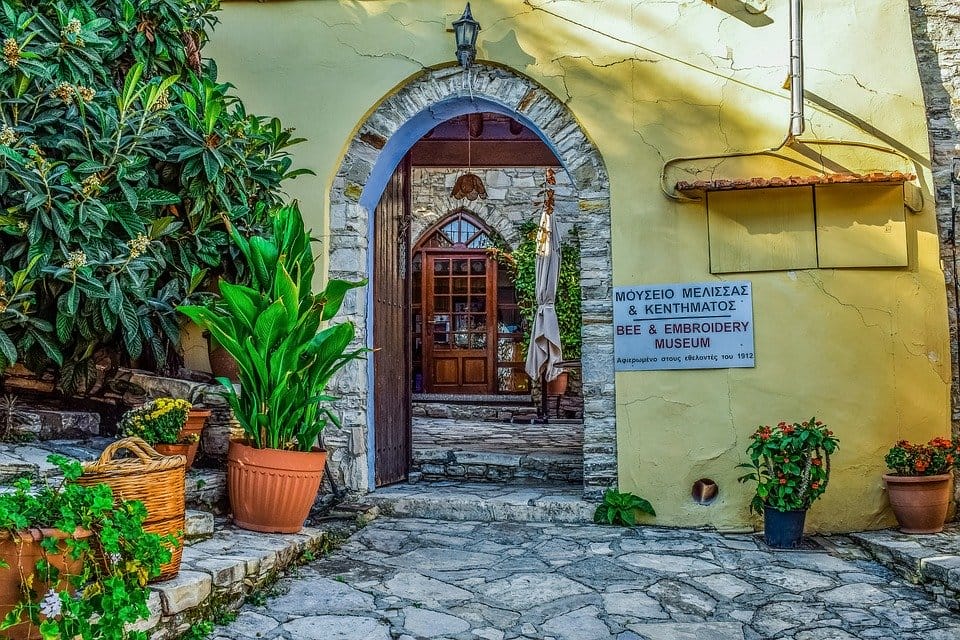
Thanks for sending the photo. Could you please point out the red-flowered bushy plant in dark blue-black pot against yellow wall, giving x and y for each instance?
(791, 465)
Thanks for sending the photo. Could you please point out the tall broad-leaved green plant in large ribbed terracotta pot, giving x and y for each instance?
(273, 329)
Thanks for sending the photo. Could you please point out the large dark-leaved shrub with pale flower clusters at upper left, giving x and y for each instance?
(123, 161)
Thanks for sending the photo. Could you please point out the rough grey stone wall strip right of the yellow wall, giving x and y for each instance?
(936, 38)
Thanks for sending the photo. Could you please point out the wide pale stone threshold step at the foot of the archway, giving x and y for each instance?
(484, 502)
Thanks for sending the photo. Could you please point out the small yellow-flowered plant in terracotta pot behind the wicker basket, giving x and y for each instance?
(163, 424)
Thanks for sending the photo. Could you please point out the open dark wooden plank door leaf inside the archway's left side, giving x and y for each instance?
(391, 358)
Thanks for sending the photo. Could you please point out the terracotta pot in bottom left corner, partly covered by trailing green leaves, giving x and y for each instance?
(21, 553)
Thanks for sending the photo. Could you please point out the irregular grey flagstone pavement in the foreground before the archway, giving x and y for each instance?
(414, 578)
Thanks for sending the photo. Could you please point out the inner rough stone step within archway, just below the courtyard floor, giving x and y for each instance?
(438, 464)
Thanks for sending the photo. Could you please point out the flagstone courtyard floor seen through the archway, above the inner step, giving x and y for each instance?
(501, 437)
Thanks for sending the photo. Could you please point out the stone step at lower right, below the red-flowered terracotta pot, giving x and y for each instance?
(931, 561)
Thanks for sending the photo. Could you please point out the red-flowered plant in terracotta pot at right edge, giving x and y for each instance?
(919, 483)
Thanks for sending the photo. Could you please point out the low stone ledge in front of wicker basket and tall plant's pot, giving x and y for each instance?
(218, 573)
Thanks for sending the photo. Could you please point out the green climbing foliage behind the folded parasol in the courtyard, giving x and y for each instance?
(522, 263)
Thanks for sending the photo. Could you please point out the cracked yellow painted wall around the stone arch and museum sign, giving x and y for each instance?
(866, 350)
